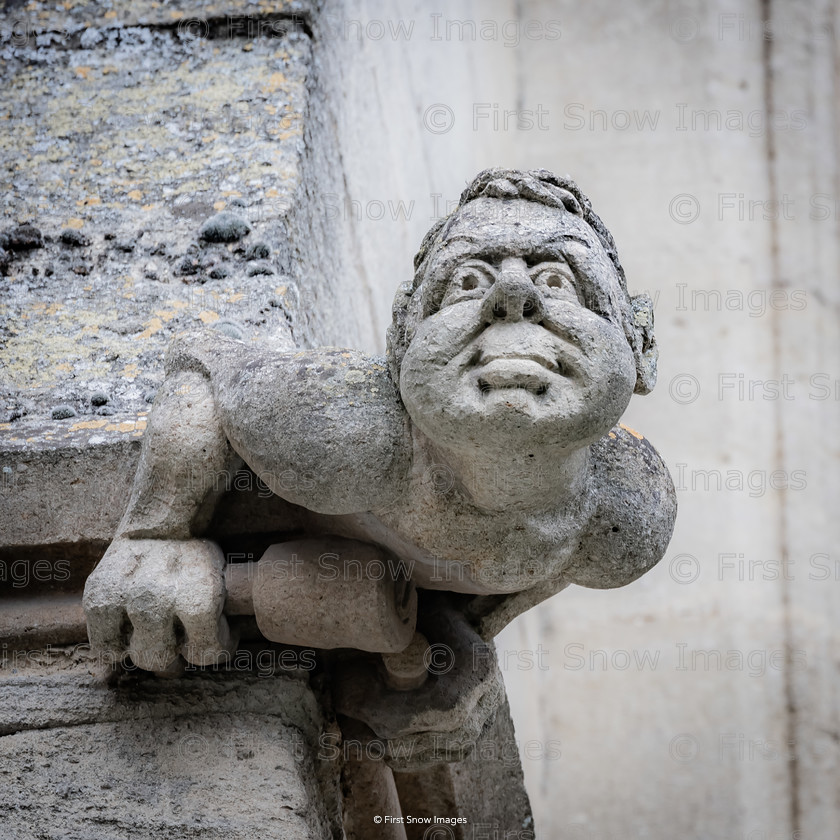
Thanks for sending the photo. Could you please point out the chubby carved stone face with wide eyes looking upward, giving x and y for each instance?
(518, 340)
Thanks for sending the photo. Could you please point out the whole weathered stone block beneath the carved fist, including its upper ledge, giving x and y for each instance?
(129, 757)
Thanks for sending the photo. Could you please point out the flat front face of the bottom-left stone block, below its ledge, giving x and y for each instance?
(178, 779)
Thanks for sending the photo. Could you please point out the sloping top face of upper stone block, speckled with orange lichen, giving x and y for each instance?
(113, 178)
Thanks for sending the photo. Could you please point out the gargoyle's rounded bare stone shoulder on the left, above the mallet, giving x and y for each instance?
(323, 428)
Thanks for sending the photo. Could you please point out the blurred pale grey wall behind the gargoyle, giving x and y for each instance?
(701, 701)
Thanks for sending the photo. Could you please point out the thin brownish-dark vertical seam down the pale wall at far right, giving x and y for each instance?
(777, 282)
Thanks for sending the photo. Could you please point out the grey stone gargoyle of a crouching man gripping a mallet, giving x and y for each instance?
(484, 455)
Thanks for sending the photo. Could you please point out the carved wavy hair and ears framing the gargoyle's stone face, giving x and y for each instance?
(542, 187)
